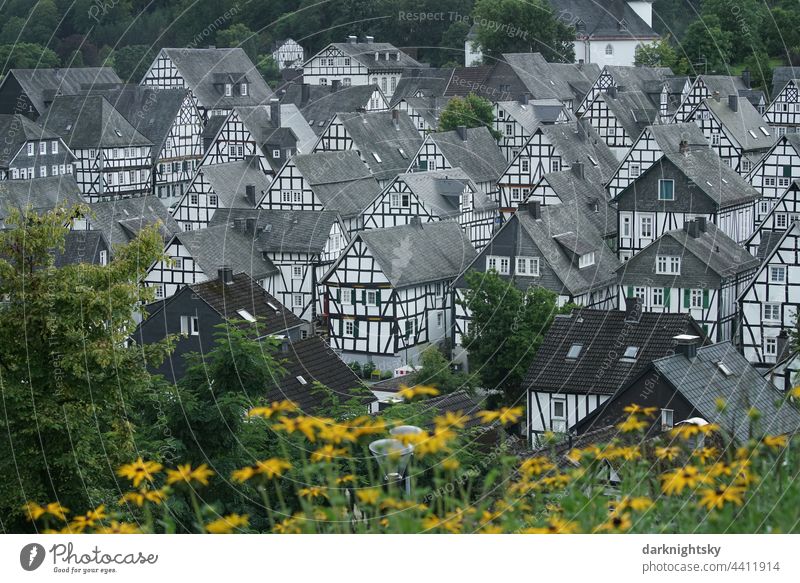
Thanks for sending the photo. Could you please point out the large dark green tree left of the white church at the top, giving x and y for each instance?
(509, 26)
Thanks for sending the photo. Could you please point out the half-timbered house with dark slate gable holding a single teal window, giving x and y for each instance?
(682, 184)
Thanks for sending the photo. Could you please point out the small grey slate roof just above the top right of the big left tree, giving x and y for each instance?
(121, 220)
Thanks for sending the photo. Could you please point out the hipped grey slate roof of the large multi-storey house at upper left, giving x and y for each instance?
(90, 121)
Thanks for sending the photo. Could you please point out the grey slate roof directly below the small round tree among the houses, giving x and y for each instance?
(478, 156)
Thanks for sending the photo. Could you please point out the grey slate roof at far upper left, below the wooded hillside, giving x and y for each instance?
(42, 85)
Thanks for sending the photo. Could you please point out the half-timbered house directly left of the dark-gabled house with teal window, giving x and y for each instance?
(553, 148)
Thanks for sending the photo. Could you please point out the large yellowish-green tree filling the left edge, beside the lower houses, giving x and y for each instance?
(70, 385)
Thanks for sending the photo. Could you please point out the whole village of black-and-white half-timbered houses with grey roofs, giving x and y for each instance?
(335, 216)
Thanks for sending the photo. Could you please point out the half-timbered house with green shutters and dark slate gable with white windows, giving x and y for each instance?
(697, 270)
